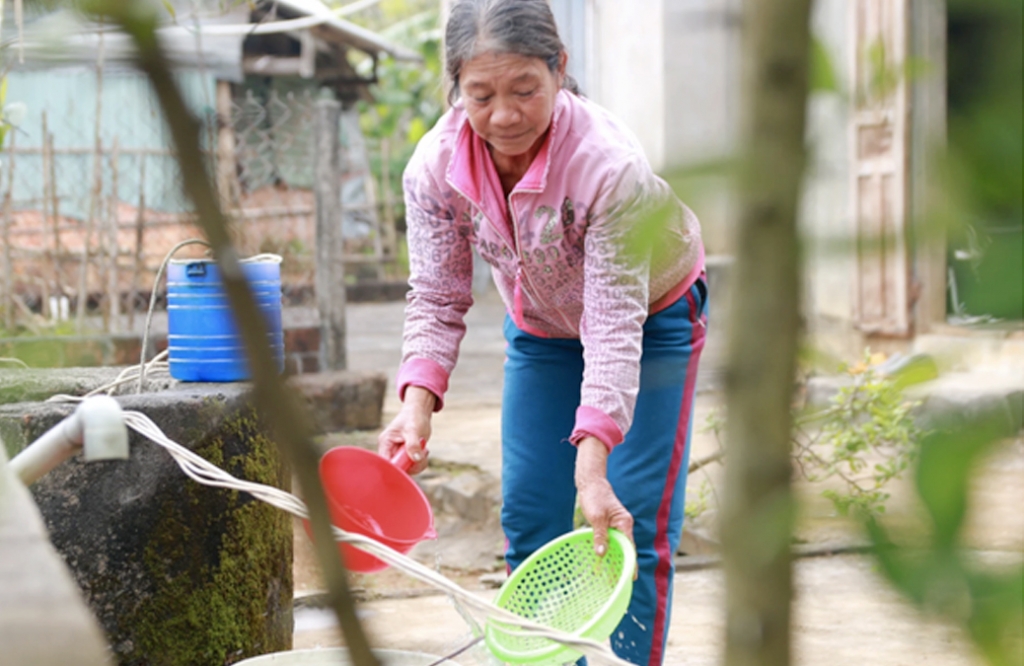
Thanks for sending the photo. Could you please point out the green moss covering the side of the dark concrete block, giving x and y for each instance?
(226, 563)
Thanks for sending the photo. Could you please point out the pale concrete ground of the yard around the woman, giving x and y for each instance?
(844, 614)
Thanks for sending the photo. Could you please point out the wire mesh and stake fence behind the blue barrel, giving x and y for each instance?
(93, 198)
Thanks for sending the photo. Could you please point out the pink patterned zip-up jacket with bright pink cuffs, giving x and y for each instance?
(564, 248)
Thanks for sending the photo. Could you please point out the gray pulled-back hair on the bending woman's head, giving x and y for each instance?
(522, 27)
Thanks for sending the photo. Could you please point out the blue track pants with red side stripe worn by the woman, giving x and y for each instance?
(648, 471)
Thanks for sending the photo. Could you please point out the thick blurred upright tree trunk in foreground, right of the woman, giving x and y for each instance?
(763, 341)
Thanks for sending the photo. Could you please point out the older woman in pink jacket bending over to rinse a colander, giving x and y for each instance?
(601, 268)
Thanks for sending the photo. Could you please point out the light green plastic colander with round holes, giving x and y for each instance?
(565, 586)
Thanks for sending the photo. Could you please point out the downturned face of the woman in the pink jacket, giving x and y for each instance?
(509, 100)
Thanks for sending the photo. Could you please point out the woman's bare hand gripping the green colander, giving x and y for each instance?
(598, 499)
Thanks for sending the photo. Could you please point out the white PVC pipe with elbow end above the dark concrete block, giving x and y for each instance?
(98, 425)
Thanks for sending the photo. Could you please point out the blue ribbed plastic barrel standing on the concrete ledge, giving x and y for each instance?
(203, 341)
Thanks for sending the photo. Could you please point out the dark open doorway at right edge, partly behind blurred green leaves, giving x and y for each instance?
(984, 96)
